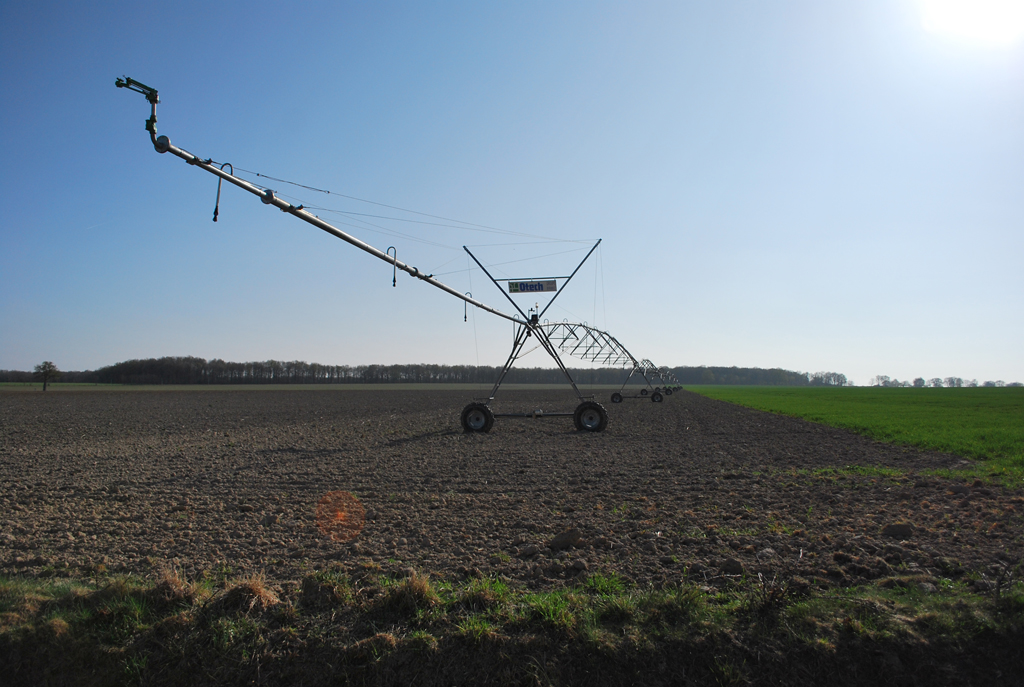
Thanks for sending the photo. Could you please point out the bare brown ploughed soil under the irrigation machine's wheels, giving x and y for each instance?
(228, 483)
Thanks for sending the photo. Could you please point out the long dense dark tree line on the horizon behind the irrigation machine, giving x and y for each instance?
(191, 370)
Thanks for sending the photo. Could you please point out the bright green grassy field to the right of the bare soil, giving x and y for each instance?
(979, 423)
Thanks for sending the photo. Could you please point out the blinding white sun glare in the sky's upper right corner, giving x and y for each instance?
(986, 22)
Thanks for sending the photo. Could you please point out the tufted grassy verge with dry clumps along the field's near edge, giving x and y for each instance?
(370, 629)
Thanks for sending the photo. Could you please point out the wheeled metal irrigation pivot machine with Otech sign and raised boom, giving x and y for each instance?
(578, 340)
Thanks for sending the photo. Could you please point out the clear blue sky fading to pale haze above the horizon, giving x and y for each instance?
(804, 185)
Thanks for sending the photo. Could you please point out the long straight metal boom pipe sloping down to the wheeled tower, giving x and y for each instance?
(163, 145)
